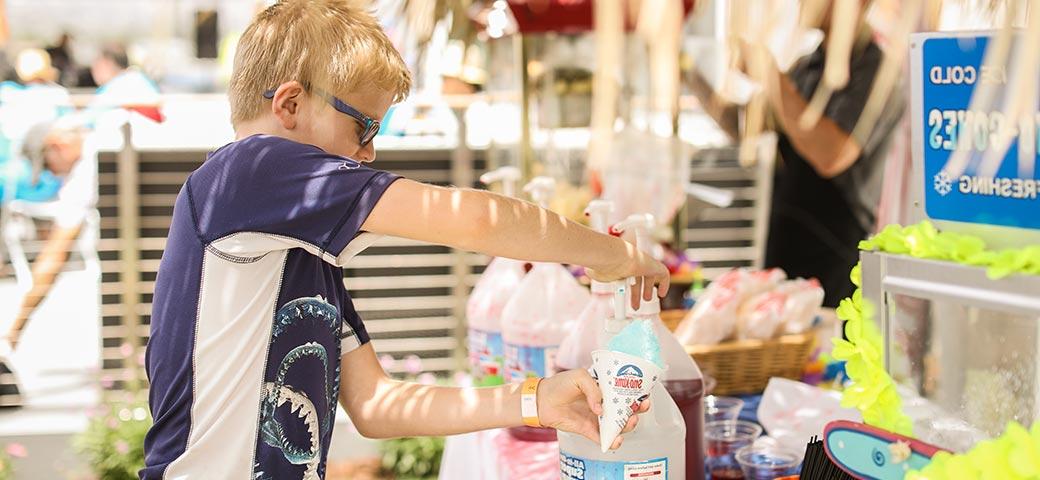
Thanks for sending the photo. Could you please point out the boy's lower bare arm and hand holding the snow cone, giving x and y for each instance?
(382, 408)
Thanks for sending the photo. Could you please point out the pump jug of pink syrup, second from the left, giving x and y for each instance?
(539, 316)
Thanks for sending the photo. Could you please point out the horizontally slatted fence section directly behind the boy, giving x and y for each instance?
(410, 295)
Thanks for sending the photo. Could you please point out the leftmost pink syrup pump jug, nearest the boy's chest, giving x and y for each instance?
(493, 290)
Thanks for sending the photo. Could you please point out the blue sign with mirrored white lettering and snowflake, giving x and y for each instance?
(975, 192)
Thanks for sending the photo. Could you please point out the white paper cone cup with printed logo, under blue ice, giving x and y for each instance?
(626, 381)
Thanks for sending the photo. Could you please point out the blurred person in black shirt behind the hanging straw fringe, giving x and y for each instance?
(827, 184)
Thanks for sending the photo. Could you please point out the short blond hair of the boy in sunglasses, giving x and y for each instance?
(334, 45)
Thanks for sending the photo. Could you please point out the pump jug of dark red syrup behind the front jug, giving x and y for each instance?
(683, 381)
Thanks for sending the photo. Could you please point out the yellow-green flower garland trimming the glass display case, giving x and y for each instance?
(1017, 454)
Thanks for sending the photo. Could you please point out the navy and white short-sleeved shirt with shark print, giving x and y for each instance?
(251, 316)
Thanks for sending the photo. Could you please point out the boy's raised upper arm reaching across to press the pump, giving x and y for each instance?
(500, 226)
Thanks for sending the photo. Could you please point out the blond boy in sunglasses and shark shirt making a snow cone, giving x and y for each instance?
(254, 338)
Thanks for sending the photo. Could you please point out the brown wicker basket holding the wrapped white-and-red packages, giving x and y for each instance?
(746, 366)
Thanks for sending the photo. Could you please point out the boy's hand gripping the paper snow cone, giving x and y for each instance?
(571, 402)
